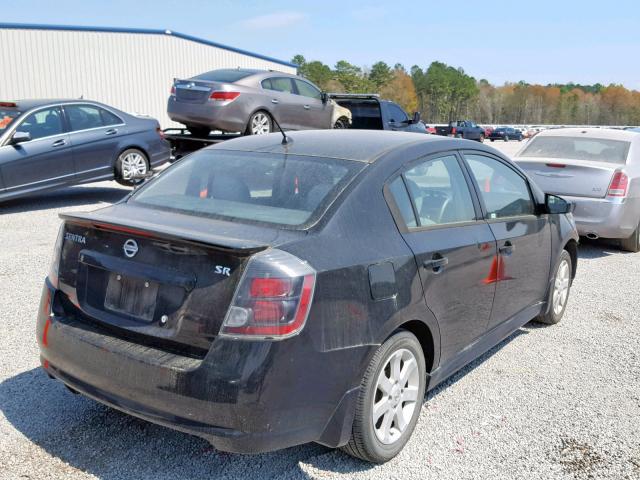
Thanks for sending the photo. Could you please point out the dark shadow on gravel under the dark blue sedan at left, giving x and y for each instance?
(66, 197)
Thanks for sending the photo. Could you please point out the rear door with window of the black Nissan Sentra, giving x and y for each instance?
(453, 246)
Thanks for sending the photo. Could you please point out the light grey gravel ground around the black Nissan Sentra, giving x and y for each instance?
(559, 402)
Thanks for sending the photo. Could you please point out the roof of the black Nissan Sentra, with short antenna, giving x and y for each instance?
(360, 145)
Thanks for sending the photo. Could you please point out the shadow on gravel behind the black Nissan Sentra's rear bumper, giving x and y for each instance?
(112, 445)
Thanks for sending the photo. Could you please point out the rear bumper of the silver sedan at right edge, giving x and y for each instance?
(604, 217)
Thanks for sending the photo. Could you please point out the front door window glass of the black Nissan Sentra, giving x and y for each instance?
(504, 191)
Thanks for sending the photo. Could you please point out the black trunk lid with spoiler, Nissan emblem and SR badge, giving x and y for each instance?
(160, 279)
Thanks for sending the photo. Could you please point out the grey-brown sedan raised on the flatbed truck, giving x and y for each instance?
(247, 101)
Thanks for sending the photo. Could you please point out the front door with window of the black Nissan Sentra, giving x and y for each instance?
(523, 236)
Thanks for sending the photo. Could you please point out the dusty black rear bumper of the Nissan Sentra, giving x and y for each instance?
(244, 397)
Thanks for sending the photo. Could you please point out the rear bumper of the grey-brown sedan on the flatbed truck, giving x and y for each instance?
(226, 117)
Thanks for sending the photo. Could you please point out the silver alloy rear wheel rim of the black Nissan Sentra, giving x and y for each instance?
(396, 396)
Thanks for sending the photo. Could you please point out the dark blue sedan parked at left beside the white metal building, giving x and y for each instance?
(48, 144)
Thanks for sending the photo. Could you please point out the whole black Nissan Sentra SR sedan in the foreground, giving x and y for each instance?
(262, 295)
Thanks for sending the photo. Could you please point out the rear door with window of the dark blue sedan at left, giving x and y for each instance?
(95, 139)
